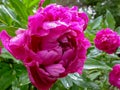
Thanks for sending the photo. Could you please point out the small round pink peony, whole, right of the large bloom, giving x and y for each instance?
(107, 40)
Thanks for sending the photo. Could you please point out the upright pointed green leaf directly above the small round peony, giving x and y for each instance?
(109, 21)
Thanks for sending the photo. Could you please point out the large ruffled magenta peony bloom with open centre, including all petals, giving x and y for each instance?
(53, 46)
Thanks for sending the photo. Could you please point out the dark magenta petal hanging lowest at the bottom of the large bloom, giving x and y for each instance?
(40, 78)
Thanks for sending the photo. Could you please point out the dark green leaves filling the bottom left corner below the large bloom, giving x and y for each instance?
(13, 75)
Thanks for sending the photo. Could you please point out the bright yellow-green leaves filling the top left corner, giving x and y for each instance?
(14, 14)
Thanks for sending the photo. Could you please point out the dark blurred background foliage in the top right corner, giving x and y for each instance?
(100, 7)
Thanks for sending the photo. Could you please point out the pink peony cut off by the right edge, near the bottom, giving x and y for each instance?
(114, 76)
